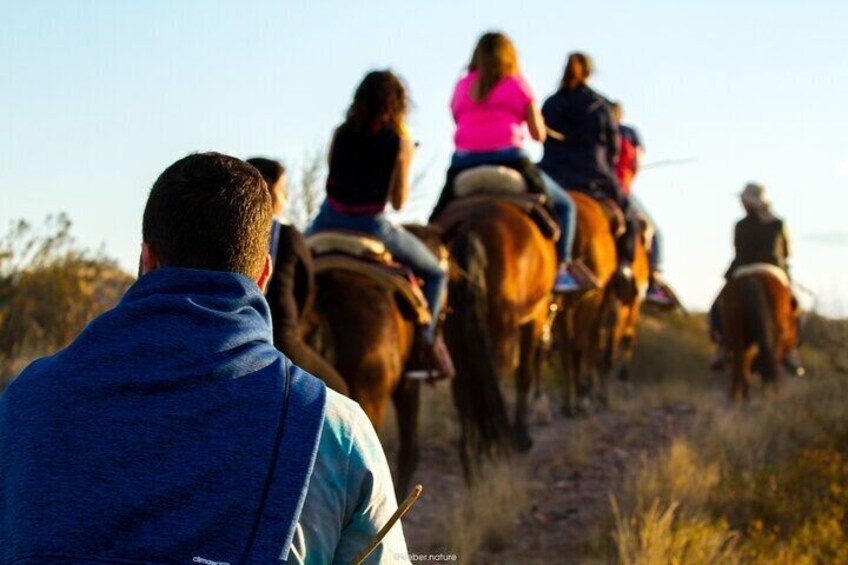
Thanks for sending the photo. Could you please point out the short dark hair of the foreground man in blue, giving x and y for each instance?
(209, 211)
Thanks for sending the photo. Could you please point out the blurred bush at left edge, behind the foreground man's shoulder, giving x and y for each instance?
(49, 289)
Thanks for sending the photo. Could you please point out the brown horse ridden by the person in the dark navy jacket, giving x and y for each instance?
(584, 321)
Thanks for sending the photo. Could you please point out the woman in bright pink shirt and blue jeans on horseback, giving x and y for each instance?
(491, 105)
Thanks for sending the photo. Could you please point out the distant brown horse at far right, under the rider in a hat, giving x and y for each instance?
(759, 328)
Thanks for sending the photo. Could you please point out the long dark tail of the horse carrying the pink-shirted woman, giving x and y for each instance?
(477, 395)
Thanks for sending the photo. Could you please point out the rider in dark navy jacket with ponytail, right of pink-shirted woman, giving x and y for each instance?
(582, 146)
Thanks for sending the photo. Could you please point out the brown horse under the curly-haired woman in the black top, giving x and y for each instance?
(369, 336)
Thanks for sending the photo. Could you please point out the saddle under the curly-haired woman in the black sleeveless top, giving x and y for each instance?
(354, 252)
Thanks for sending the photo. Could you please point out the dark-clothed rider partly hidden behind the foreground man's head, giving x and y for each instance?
(291, 289)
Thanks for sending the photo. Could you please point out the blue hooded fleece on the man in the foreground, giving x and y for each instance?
(170, 431)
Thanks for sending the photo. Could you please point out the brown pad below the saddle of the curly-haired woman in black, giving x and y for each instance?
(390, 276)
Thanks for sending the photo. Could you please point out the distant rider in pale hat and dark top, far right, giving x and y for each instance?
(759, 237)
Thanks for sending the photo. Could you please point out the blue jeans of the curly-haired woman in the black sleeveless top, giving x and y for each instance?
(404, 247)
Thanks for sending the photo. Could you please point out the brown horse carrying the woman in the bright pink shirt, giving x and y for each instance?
(500, 289)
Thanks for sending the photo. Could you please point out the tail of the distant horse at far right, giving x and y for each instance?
(759, 320)
